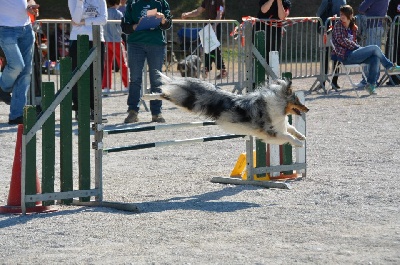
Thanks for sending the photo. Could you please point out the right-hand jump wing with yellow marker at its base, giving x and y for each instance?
(262, 163)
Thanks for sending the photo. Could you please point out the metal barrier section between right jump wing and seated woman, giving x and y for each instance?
(298, 42)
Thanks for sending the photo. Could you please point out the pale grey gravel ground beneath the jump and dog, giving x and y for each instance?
(346, 211)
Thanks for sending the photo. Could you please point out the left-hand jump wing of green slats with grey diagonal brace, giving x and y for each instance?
(46, 121)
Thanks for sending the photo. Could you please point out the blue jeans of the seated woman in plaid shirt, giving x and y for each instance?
(371, 55)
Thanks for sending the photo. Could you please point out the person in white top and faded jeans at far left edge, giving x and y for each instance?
(16, 40)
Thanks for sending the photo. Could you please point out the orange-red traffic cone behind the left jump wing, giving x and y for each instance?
(14, 195)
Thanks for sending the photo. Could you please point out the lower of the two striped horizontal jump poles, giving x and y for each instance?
(173, 142)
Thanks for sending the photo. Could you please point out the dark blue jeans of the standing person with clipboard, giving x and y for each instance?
(137, 54)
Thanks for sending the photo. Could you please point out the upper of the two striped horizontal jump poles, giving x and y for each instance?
(159, 127)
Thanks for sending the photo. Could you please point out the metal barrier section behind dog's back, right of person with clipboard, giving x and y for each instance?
(184, 41)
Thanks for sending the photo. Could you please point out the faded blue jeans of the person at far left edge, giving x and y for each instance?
(17, 44)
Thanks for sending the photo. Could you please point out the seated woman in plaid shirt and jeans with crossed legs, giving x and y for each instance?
(347, 51)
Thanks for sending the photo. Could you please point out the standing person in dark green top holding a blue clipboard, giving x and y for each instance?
(145, 44)
